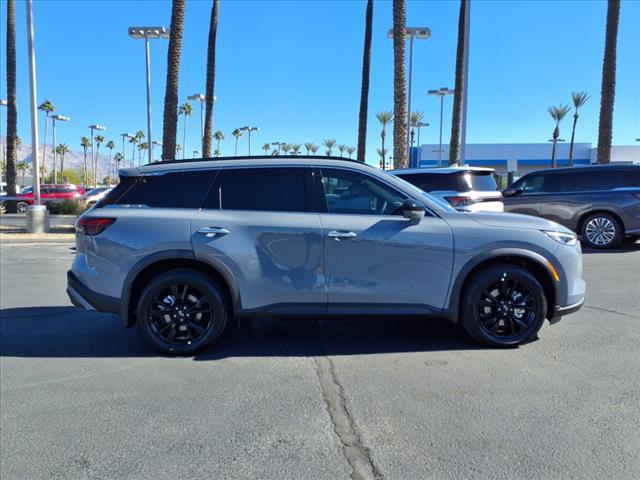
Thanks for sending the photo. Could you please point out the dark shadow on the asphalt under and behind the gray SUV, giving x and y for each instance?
(55, 332)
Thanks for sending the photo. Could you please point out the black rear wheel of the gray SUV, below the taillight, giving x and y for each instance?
(181, 311)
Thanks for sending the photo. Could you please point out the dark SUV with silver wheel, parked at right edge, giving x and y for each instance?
(599, 202)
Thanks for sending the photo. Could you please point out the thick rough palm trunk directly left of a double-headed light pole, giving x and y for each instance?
(399, 84)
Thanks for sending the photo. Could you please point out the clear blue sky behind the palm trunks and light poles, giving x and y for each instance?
(293, 68)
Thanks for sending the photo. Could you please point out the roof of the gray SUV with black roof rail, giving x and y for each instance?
(262, 160)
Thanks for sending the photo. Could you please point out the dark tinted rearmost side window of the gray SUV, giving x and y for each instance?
(186, 189)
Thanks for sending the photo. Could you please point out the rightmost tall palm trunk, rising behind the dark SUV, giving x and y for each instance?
(608, 89)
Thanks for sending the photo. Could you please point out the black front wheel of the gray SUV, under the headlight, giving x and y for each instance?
(489, 311)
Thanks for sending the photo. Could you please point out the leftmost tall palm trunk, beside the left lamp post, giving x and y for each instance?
(12, 105)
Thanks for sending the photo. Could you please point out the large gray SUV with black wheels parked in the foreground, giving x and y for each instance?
(180, 247)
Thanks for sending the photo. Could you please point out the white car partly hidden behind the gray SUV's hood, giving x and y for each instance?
(464, 188)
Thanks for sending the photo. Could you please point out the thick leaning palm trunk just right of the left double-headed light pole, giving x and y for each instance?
(170, 119)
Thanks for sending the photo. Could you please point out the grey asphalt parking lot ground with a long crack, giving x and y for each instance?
(82, 398)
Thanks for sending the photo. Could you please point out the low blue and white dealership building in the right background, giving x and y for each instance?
(521, 158)
